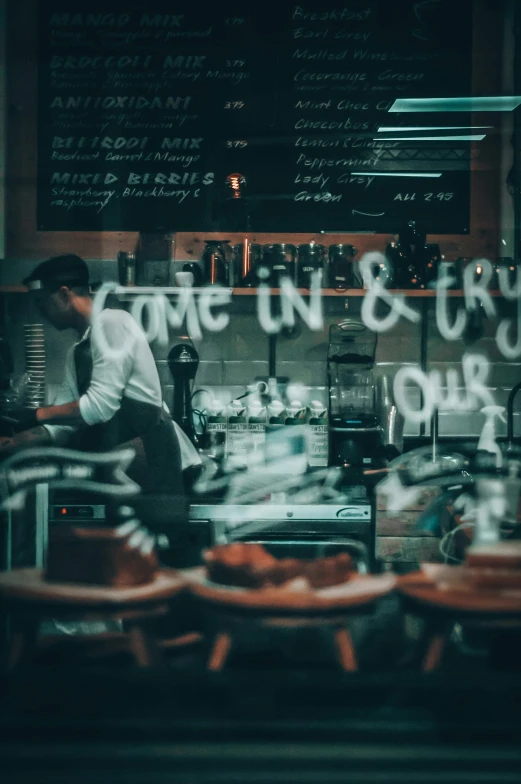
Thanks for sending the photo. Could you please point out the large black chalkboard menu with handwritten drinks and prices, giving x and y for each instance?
(146, 108)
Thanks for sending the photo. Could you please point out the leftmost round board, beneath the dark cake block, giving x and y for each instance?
(29, 585)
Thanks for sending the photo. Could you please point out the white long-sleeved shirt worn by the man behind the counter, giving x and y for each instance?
(122, 366)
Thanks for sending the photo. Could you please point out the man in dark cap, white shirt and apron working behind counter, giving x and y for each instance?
(111, 392)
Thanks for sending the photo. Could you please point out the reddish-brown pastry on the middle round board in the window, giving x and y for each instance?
(249, 565)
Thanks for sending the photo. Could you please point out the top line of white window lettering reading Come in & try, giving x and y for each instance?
(202, 309)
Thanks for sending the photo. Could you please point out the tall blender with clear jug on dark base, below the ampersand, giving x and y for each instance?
(356, 436)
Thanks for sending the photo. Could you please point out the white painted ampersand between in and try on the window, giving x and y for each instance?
(376, 291)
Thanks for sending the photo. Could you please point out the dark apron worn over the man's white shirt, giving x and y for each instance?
(148, 427)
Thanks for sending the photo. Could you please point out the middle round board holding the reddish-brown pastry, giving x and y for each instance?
(357, 592)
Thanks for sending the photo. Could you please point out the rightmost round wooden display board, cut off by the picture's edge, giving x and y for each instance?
(445, 587)
